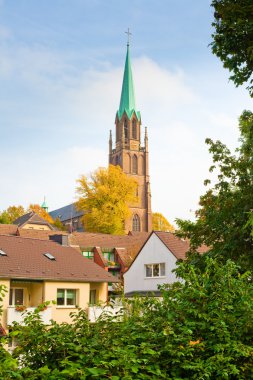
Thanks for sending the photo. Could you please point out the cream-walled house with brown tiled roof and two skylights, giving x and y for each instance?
(34, 271)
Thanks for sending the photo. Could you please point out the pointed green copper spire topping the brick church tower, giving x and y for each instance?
(127, 100)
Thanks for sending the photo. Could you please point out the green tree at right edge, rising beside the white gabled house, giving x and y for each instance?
(222, 219)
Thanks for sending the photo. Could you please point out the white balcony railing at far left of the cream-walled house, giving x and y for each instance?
(18, 316)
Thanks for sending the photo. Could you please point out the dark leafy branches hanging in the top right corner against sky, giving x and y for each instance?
(233, 38)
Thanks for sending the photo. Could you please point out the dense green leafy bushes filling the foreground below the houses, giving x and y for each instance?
(201, 328)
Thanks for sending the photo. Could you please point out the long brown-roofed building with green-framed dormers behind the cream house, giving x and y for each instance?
(114, 253)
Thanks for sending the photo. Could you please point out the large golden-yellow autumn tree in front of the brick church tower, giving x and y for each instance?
(104, 198)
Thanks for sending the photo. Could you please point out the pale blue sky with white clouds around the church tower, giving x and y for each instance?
(61, 72)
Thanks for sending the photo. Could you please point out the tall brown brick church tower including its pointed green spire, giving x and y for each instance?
(130, 155)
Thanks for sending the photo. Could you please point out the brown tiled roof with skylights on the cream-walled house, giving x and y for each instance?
(25, 260)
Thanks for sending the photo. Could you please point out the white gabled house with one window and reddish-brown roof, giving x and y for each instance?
(154, 264)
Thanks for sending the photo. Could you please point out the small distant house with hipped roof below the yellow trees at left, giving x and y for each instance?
(33, 221)
